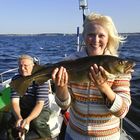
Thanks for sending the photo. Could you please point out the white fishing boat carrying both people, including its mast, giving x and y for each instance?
(5, 104)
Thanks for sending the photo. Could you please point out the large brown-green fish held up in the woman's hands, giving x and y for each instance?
(78, 70)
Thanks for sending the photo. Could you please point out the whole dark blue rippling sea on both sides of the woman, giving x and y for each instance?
(51, 48)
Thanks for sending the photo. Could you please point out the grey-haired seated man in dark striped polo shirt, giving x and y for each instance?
(32, 109)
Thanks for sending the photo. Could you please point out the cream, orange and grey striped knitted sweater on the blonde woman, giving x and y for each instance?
(91, 117)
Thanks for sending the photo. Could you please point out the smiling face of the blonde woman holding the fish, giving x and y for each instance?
(96, 39)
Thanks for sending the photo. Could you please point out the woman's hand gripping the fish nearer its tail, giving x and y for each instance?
(60, 77)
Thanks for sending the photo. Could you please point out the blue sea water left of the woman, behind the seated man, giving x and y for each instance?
(48, 48)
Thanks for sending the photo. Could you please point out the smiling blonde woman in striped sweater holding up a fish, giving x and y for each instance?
(95, 107)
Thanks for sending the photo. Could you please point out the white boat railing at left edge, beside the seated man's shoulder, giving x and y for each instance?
(5, 77)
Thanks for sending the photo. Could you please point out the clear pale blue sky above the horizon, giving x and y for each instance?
(64, 16)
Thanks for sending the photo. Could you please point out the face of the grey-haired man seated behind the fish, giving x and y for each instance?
(26, 67)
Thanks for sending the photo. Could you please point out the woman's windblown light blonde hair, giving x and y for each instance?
(114, 39)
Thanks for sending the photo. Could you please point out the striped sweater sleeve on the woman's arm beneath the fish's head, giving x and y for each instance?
(122, 102)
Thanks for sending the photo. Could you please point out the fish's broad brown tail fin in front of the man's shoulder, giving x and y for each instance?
(20, 85)
